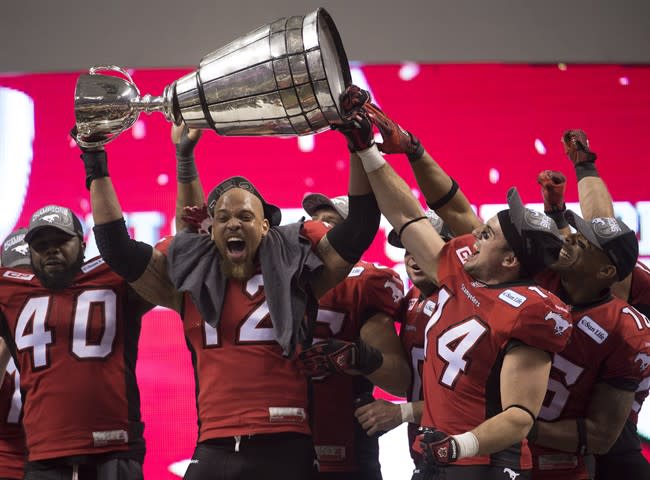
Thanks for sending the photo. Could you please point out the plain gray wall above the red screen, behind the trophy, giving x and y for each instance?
(51, 35)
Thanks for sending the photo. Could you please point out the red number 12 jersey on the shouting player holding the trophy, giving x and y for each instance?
(244, 384)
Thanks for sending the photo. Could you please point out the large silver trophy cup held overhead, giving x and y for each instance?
(284, 78)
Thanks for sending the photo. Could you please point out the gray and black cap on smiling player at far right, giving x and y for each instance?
(612, 236)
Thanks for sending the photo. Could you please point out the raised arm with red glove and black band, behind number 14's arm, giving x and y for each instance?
(440, 191)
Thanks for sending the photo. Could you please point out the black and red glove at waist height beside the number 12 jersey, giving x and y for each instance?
(339, 356)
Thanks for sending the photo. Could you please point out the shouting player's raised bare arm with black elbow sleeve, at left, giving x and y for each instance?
(139, 264)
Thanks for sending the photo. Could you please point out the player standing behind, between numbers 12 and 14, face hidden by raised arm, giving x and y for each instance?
(359, 309)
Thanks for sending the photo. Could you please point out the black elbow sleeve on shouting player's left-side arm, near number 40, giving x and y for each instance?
(126, 257)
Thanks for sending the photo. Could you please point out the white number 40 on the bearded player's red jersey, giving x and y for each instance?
(34, 333)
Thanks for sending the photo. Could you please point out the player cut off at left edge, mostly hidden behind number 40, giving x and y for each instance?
(15, 255)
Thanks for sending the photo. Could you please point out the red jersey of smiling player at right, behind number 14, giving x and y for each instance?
(610, 342)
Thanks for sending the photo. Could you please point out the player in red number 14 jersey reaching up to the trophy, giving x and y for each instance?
(487, 345)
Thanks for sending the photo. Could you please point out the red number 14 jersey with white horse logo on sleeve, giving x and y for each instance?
(466, 340)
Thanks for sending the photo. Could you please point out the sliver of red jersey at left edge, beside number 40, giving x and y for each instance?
(12, 437)
